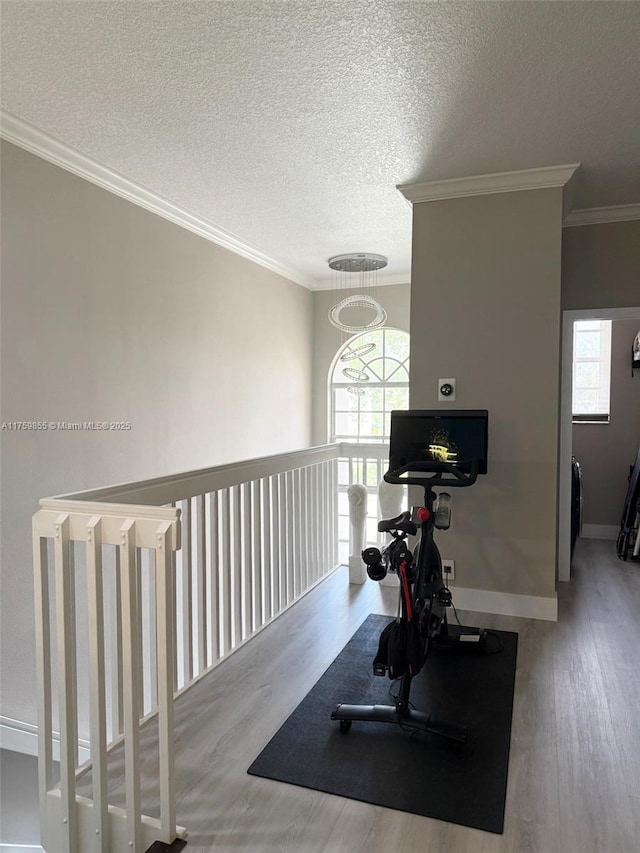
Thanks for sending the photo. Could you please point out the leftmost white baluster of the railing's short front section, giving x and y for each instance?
(43, 667)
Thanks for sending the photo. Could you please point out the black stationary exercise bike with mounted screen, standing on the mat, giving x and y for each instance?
(424, 597)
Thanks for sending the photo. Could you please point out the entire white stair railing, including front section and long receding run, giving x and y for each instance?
(172, 575)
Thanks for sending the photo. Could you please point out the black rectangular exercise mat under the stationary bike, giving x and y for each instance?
(380, 763)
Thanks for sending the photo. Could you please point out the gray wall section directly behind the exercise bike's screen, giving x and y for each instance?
(485, 309)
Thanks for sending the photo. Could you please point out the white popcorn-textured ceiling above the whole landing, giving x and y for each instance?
(289, 124)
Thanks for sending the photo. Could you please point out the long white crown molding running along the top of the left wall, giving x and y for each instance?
(26, 136)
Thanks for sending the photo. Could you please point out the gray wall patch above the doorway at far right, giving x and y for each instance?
(601, 266)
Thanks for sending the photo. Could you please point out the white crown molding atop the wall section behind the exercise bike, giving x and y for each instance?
(500, 182)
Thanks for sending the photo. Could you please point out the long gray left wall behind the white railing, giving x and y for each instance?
(112, 313)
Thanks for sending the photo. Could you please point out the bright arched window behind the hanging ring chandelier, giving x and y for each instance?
(369, 378)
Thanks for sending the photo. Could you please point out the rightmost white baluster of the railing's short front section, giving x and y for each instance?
(164, 658)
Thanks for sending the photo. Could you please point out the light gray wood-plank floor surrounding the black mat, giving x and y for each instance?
(574, 773)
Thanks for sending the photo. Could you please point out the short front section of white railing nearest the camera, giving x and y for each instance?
(70, 822)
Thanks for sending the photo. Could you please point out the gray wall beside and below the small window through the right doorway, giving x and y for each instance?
(605, 451)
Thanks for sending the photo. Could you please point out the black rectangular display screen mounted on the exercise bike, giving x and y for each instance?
(436, 438)
